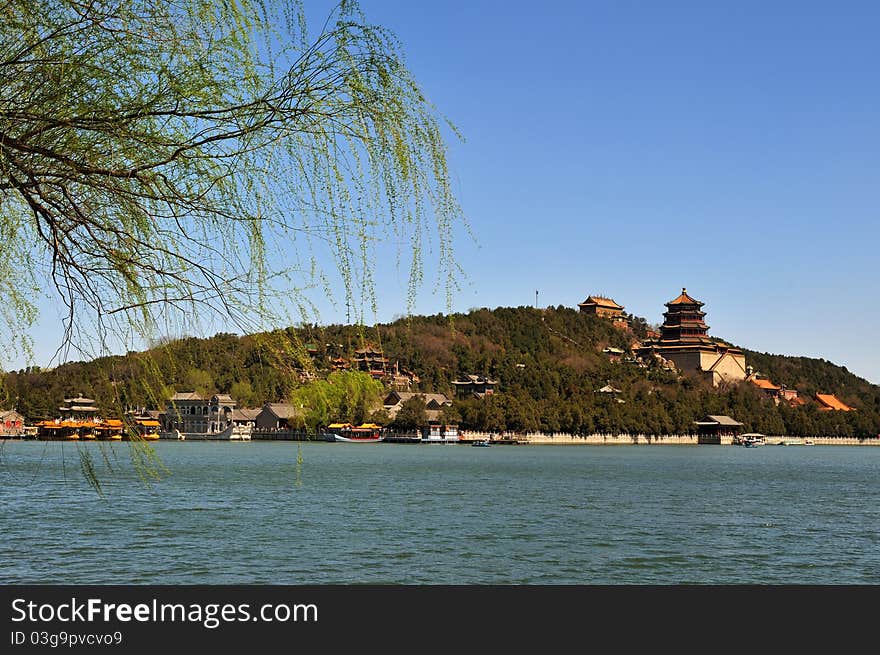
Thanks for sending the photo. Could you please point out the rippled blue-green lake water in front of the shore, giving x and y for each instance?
(442, 514)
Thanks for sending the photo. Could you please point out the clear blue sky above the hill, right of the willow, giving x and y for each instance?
(633, 148)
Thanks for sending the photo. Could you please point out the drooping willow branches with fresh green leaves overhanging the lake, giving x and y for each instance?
(163, 162)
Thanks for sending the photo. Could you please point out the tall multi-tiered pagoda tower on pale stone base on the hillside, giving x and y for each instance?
(684, 341)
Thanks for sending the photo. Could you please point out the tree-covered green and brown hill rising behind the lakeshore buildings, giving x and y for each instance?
(549, 365)
